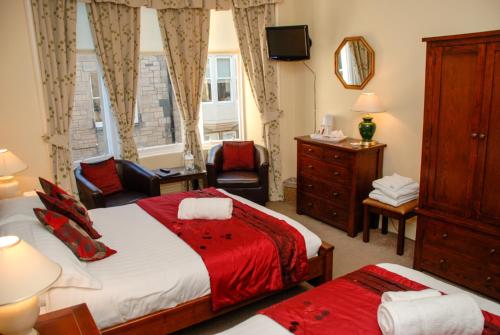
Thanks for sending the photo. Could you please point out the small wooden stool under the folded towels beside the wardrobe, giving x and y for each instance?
(401, 213)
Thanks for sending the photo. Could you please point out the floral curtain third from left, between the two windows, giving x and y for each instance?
(185, 41)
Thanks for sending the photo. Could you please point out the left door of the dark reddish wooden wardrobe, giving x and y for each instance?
(455, 92)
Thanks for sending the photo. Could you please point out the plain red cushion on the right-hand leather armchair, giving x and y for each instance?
(238, 155)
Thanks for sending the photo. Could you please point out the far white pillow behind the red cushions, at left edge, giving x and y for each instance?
(18, 208)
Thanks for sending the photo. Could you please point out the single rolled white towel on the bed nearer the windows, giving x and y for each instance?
(205, 208)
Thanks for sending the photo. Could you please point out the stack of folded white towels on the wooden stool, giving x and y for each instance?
(394, 190)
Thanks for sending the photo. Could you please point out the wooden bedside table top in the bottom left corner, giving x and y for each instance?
(75, 320)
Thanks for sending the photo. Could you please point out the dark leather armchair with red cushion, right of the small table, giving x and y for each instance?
(240, 168)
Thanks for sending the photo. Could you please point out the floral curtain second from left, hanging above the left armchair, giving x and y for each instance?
(116, 32)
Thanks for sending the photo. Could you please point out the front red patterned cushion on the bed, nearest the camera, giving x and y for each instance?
(80, 243)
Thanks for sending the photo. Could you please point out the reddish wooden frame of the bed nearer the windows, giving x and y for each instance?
(169, 320)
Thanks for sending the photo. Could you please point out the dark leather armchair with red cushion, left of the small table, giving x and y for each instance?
(114, 183)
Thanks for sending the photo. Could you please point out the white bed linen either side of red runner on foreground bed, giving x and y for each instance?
(263, 325)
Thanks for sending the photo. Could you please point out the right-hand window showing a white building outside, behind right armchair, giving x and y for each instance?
(220, 109)
